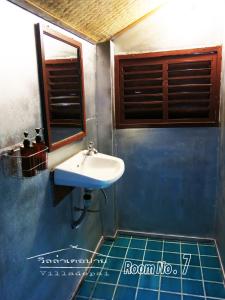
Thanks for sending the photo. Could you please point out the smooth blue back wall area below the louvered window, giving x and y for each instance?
(169, 185)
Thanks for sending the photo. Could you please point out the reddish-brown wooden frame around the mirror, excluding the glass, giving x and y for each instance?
(40, 31)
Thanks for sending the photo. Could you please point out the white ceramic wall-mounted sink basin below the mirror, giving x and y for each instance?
(96, 171)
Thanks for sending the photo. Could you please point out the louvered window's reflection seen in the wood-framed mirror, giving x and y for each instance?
(64, 88)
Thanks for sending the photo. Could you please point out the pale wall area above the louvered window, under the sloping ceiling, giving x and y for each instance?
(179, 24)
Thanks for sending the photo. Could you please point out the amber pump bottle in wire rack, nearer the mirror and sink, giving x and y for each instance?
(40, 150)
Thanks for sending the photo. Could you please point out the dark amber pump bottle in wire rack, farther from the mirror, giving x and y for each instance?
(27, 157)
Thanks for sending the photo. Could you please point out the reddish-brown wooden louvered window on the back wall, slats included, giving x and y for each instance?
(175, 88)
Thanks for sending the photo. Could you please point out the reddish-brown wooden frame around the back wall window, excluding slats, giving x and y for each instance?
(175, 55)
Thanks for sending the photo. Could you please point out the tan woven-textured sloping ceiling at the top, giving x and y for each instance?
(98, 20)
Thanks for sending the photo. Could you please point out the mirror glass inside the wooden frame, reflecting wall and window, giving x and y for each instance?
(62, 71)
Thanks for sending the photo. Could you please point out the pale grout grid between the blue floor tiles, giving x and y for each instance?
(142, 261)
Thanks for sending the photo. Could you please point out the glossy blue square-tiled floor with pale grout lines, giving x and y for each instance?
(188, 271)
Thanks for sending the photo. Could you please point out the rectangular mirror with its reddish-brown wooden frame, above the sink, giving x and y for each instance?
(62, 87)
